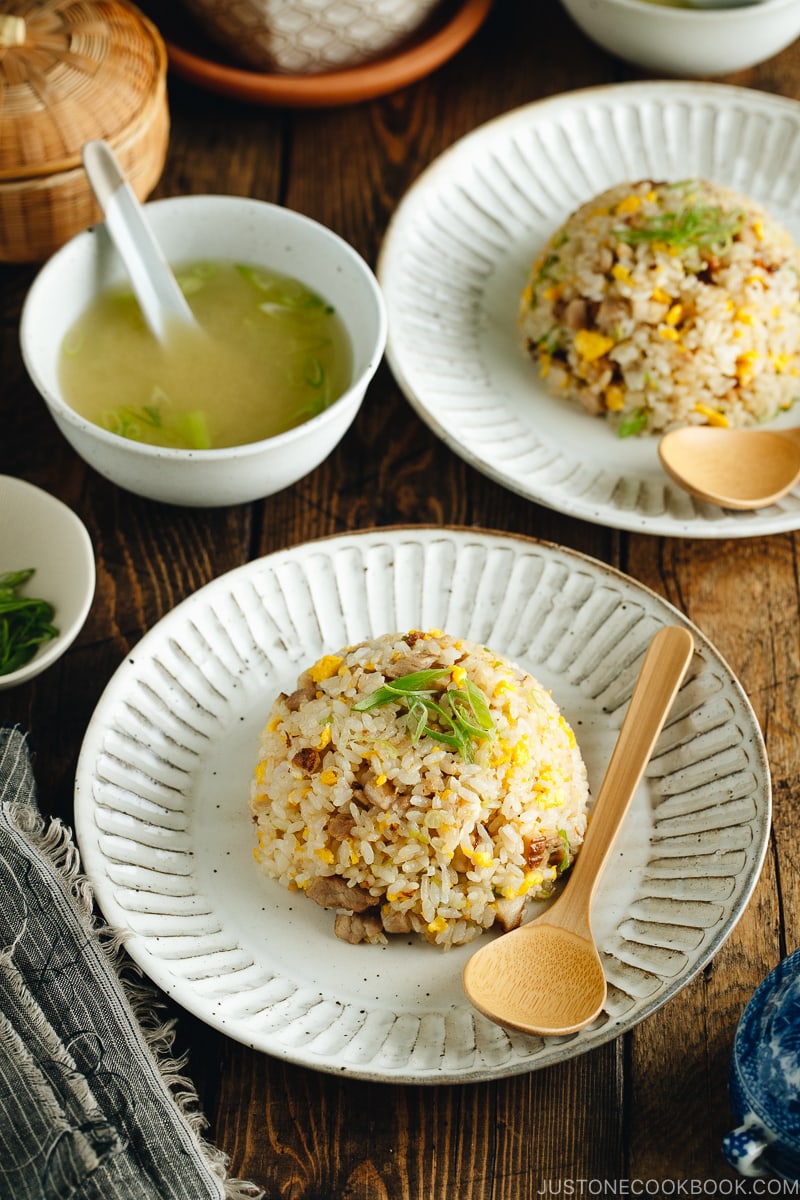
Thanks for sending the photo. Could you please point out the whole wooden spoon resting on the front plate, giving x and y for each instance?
(546, 977)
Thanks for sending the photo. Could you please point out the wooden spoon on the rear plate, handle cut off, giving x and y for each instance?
(735, 469)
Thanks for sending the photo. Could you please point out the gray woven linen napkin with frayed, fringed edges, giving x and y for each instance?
(92, 1103)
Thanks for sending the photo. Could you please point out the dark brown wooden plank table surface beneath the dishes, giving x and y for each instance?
(649, 1108)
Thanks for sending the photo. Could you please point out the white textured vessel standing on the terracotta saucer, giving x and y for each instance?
(310, 37)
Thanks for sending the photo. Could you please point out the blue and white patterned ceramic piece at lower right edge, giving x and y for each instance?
(765, 1078)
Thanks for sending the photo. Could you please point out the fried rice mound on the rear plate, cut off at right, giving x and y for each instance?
(666, 304)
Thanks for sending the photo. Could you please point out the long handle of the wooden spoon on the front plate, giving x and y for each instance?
(663, 673)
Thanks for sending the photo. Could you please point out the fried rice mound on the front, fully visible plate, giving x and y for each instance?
(418, 784)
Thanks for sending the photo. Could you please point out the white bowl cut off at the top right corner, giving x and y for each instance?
(689, 41)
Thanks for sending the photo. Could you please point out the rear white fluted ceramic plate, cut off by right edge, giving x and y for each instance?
(459, 251)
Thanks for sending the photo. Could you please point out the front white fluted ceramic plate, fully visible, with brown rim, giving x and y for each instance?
(166, 836)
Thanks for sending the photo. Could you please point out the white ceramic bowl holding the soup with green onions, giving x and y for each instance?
(231, 229)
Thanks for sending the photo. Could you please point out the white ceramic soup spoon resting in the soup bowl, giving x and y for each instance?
(163, 303)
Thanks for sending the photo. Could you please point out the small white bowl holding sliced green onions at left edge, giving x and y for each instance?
(39, 531)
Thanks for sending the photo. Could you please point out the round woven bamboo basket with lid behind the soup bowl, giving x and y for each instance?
(73, 71)
